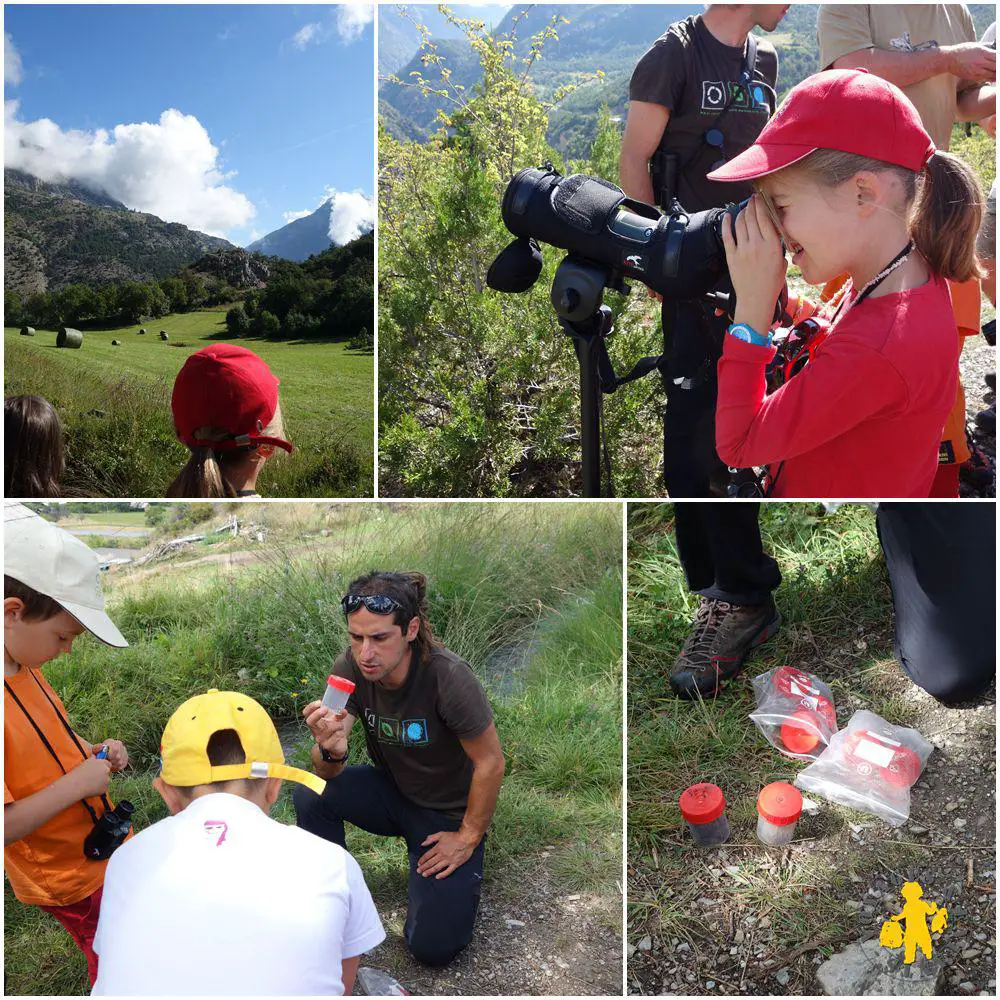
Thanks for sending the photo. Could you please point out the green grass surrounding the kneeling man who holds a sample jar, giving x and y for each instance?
(530, 595)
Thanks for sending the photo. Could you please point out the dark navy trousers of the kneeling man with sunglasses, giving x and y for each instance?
(441, 912)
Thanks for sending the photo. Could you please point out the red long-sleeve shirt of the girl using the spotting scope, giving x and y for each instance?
(863, 419)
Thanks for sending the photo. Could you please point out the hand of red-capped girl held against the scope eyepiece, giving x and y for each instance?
(756, 264)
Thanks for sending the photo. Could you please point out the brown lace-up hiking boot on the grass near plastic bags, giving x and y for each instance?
(722, 636)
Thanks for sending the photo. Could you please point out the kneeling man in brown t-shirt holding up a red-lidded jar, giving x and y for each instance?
(437, 760)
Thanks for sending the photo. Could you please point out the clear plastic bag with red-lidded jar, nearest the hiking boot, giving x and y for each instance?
(795, 712)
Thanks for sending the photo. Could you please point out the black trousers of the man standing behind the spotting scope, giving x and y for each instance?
(690, 462)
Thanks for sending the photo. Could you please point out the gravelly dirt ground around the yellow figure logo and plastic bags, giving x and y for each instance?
(948, 845)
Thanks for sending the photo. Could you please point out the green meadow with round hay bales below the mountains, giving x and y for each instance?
(114, 403)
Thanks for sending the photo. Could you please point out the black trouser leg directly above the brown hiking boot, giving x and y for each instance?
(722, 554)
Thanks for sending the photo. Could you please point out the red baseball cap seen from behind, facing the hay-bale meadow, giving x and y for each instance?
(230, 388)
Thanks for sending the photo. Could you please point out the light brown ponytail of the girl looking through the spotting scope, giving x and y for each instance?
(946, 216)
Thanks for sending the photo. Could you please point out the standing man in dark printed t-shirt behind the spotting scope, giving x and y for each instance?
(697, 97)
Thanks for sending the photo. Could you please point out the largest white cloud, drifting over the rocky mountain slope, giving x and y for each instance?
(169, 168)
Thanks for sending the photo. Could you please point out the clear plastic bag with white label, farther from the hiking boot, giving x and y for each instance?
(871, 765)
